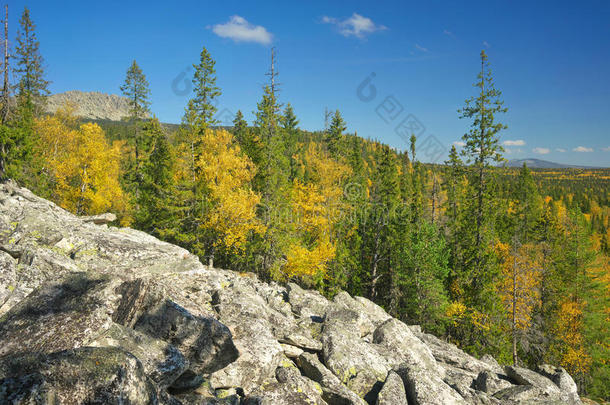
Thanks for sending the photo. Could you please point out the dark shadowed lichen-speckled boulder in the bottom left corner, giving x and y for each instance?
(83, 375)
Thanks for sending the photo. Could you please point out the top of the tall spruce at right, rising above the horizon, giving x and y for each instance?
(482, 146)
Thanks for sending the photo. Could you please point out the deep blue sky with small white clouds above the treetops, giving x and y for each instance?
(551, 59)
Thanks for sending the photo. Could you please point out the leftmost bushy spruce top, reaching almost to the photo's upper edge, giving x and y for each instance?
(31, 87)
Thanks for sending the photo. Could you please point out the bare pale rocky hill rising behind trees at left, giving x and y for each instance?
(91, 105)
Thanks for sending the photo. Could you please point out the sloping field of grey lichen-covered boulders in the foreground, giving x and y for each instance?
(100, 315)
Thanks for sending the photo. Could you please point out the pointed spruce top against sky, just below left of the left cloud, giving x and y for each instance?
(201, 107)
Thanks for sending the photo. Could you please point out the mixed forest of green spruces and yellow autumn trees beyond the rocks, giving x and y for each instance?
(510, 262)
